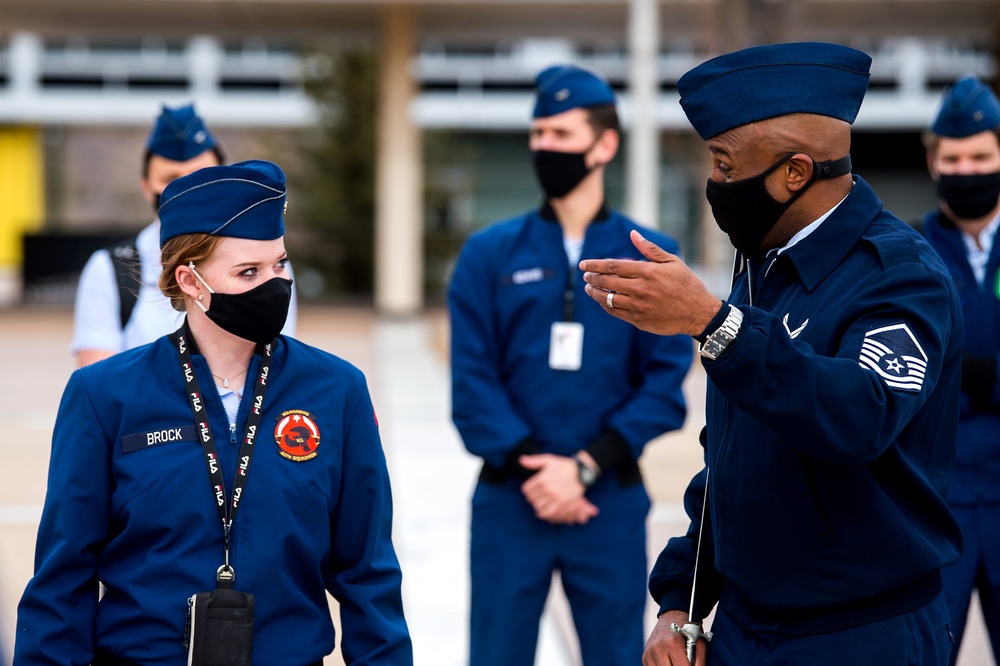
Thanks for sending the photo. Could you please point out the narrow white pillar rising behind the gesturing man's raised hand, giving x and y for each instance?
(642, 175)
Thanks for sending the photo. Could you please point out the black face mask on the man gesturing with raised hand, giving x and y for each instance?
(747, 212)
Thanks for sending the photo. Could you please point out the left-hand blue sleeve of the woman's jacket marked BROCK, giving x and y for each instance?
(56, 617)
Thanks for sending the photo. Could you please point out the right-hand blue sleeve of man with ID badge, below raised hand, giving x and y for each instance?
(657, 405)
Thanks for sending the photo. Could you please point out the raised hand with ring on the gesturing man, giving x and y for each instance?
(661, 295)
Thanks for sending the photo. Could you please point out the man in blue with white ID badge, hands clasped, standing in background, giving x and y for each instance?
(560, 488)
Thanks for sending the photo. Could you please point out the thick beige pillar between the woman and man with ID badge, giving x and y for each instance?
(399, 228)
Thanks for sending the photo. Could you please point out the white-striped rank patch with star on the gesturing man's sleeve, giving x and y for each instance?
(895, 355)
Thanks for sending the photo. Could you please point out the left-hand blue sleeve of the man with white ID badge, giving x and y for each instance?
(489, 424)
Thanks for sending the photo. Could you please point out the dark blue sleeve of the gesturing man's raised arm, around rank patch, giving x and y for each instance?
(840, 410)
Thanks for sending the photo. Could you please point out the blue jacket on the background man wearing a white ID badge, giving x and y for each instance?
(508, 289)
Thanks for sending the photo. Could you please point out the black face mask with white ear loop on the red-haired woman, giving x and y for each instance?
(257, 315)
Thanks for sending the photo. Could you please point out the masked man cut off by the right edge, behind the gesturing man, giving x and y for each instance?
(963, 157)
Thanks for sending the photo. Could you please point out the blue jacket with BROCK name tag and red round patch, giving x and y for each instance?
(144, 522)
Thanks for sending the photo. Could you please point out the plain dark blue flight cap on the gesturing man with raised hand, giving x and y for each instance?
(775, 80)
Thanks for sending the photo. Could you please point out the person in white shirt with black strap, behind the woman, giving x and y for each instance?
(118, 301)
